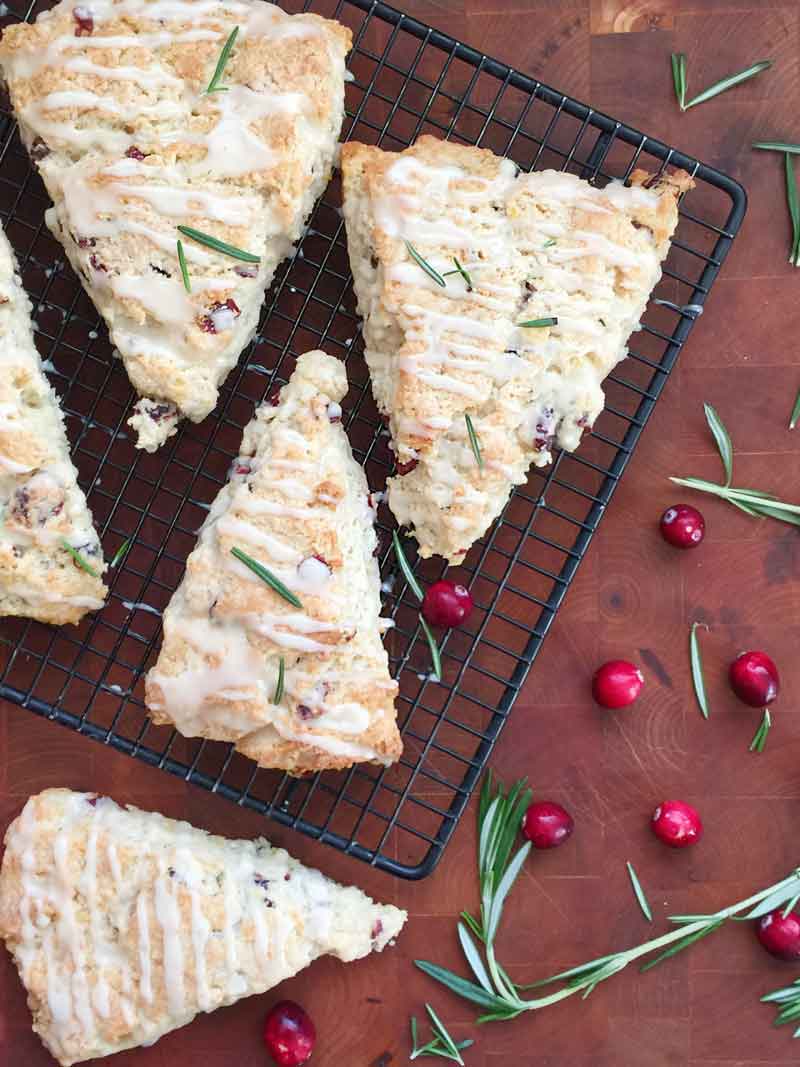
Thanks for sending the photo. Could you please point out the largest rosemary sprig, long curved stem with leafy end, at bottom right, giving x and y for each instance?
(491, 989)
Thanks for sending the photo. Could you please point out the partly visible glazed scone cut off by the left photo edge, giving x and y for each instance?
(43, 511)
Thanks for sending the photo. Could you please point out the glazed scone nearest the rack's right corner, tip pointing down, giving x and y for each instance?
(510, 249)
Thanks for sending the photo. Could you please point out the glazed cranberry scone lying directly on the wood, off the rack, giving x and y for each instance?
(125, 925)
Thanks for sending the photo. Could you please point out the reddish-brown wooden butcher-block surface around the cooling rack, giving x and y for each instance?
(634, 598)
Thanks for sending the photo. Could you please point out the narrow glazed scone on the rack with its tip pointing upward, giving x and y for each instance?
(298, 504)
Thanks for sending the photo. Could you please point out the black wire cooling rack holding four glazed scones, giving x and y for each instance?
(409, 79)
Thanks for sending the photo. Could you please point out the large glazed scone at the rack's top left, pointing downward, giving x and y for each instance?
(113, 106)
